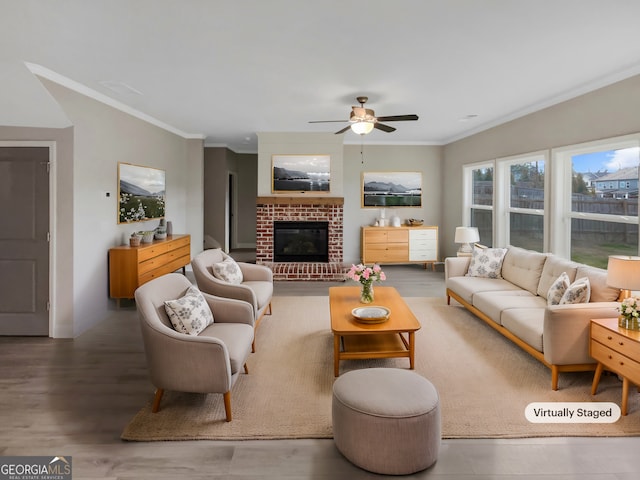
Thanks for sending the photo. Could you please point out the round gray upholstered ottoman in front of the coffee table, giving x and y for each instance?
(386, 420)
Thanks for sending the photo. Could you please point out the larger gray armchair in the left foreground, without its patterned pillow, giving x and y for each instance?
(207, 363)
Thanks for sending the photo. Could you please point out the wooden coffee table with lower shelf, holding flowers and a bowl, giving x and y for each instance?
(355, 340)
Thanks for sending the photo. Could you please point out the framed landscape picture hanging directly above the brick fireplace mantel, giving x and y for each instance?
(300, 173)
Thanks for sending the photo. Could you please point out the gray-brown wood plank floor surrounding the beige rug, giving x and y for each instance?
(74, 397)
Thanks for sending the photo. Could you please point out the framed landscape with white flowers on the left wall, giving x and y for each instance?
(141, 193)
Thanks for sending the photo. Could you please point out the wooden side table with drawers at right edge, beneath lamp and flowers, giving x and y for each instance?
(618, 350)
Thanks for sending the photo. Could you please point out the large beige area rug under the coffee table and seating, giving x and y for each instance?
(484, 382)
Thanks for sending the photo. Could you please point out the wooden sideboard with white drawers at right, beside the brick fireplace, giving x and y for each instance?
(400, 244)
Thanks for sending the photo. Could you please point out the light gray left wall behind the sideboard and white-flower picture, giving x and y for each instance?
(104, 136)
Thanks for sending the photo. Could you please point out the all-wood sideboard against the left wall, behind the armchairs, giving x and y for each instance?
(130, 267)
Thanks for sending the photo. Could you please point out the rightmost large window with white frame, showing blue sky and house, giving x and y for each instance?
(601, 207)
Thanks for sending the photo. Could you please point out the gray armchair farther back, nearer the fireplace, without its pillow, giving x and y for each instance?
(255, 289)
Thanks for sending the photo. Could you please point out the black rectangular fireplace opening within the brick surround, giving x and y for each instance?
(300, 241)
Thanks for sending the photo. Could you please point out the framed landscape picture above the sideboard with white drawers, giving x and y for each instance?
(391, 189)
